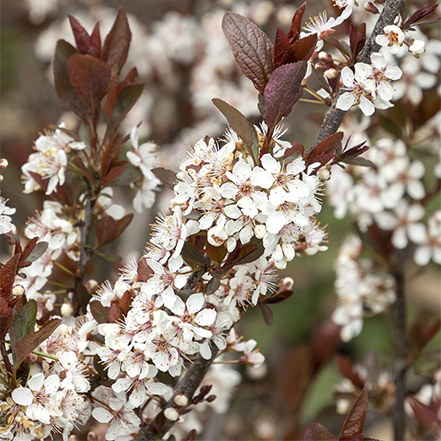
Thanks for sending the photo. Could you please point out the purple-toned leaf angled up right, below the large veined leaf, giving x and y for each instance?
(283, 90)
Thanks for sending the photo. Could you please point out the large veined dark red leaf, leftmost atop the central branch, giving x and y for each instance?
(252, 49)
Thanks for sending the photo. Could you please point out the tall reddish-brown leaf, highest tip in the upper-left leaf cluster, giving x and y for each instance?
(116, 46)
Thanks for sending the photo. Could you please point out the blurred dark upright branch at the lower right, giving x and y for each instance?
(399, 315)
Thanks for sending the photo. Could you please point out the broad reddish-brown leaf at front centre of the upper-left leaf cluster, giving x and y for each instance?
(90, 77)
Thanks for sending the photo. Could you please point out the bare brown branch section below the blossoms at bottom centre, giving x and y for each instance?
(187, 386)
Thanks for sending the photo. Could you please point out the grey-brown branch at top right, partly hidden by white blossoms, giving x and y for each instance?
(334, 116)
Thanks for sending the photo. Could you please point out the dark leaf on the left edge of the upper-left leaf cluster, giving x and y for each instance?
(67, 94)
